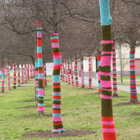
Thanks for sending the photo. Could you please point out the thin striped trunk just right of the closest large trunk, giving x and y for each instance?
(115, 92)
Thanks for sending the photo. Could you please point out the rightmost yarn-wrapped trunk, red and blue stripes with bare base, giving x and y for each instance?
(133, 90)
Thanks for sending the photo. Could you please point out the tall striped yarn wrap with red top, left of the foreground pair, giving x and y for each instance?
(40, 69)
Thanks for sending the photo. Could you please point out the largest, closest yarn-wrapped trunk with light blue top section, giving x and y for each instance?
(108, 126)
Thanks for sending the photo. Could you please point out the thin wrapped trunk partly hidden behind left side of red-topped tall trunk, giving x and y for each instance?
(36, 82)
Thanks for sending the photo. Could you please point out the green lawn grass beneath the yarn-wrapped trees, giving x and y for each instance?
(81, 110)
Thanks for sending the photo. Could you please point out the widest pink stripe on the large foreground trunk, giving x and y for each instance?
(105, 61)
